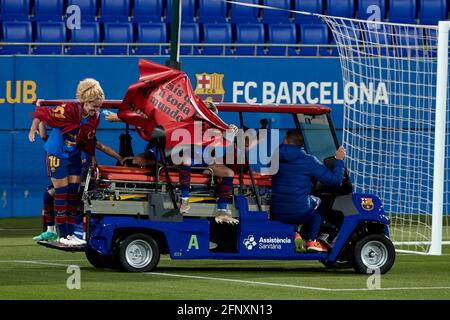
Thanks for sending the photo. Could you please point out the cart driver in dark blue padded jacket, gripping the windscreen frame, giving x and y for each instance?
(291, 200)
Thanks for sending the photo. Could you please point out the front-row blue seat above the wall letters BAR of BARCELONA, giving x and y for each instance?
(281, 34)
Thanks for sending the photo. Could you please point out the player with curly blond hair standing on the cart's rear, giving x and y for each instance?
(74, 128)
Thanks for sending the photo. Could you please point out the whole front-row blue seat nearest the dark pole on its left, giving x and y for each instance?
(151, 33)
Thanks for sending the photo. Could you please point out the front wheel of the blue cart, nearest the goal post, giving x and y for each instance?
(373, 252)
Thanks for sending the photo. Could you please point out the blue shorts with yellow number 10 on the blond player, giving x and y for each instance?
(60, 168)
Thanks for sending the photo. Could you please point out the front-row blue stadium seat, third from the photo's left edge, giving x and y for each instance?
(88, 33)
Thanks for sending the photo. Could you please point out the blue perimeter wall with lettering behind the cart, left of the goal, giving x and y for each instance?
(22, 167)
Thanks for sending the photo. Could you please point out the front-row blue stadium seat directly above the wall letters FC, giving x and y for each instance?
(250, 33)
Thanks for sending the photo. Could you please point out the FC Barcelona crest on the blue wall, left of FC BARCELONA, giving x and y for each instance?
(210, 86)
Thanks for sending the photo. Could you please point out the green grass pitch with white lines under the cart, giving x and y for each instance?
(29, 271)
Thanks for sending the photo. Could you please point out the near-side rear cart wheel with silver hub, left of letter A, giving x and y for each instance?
(138, 253)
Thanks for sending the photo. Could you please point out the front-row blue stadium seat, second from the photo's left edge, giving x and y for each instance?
(50, 32)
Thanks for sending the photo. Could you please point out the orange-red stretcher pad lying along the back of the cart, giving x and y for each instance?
(146, 175)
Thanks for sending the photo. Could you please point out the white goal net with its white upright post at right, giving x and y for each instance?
(390, 125)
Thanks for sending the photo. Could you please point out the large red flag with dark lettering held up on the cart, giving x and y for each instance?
(164, 97)
